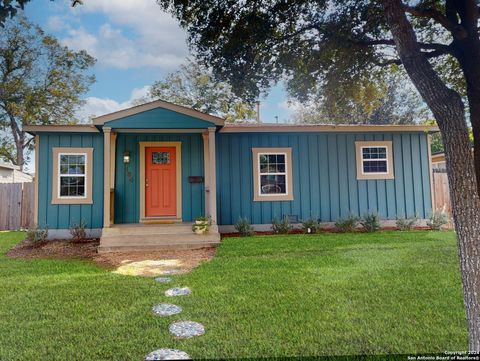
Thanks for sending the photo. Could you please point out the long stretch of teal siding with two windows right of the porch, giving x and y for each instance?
(324, 177)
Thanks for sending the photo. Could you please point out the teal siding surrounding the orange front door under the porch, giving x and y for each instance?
(127, 179)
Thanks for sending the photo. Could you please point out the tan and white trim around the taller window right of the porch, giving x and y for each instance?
(258, 196)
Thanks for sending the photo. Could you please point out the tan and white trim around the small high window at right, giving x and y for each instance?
(361, 175)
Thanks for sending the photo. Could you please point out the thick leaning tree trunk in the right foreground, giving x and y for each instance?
(447, 107)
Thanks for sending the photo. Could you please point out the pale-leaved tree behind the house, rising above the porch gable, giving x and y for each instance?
(193, 86)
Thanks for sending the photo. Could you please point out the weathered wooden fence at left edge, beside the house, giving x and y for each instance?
(16, 205)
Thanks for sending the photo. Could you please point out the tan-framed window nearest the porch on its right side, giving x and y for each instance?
(272, 172)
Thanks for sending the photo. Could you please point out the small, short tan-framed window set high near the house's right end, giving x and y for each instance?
(374, 160)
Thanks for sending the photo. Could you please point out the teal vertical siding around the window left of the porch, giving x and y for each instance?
(62, 216)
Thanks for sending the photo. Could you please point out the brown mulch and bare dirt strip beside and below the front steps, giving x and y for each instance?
(61, 249)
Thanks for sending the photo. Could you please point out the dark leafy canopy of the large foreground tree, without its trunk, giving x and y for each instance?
(316, 45)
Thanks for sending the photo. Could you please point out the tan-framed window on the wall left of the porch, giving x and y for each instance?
(72, 175)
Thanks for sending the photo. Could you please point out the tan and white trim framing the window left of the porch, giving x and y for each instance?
(88, 197)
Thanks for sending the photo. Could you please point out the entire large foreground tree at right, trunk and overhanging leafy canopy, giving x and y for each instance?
(317, 43)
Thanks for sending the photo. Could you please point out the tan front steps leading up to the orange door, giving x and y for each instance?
(151, 237)
